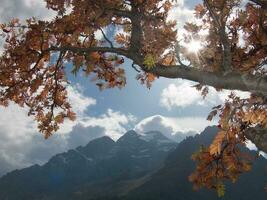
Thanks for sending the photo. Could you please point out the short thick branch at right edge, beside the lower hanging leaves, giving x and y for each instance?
(258, 136)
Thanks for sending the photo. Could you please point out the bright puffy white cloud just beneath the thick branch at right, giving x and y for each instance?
(183, 94)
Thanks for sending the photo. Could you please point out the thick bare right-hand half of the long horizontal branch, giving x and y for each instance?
(231, 81)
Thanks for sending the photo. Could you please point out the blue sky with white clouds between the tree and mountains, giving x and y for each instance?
(171, 106)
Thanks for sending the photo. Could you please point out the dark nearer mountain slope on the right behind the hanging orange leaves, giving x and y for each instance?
(171, 181)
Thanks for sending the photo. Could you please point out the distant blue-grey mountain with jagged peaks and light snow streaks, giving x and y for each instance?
(101, 168)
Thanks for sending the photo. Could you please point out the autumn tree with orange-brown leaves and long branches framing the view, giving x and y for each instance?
(29, 77)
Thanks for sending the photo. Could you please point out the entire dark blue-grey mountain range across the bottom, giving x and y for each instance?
(135, 167)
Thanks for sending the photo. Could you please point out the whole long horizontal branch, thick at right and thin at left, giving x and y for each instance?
(231, 81)
